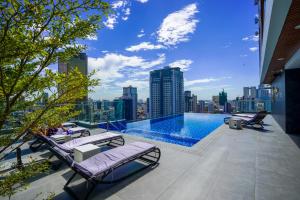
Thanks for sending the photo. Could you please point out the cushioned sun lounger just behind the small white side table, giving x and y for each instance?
(113, 139)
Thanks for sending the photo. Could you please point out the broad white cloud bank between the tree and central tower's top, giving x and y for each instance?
(109, 67)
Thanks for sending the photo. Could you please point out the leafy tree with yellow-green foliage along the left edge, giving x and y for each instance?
(33, 35)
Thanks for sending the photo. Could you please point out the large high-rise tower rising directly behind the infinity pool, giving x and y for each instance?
(166, 92)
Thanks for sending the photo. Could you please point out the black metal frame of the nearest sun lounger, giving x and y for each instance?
(146, 157)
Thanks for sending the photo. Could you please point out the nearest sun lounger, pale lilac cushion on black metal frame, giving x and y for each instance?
(95, 169)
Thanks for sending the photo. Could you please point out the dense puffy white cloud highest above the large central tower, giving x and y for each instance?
(177, 26)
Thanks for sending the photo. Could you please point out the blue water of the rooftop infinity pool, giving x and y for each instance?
(186, 130)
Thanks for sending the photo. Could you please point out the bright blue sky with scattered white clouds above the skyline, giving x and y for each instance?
(212, 41)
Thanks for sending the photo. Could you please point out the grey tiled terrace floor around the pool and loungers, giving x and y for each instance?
(228, 164)
